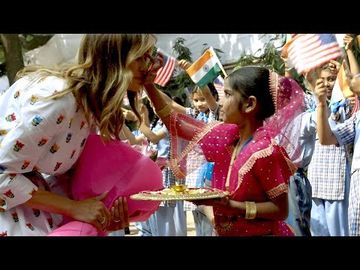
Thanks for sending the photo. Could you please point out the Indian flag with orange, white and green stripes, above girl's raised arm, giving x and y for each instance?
(205, 69)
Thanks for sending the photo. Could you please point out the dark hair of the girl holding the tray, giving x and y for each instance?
(254, 81)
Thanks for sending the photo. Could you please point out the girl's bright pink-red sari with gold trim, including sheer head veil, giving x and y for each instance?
(262, 169)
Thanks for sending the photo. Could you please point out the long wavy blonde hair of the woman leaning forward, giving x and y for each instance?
(101, 78)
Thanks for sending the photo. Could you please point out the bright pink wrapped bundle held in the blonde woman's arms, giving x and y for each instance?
(119, 169)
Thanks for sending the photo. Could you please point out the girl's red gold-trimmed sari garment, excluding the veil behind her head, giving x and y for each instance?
(260, 173)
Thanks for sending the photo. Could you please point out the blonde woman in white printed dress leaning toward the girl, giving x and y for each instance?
(45, 119)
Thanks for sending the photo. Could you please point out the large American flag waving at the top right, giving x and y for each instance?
(308, 51)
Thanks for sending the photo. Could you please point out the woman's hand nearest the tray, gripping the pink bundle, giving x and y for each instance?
(119, 215)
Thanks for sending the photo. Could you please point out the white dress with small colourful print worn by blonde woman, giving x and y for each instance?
(35, 135)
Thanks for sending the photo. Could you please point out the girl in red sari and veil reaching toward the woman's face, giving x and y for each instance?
(259, 112)
